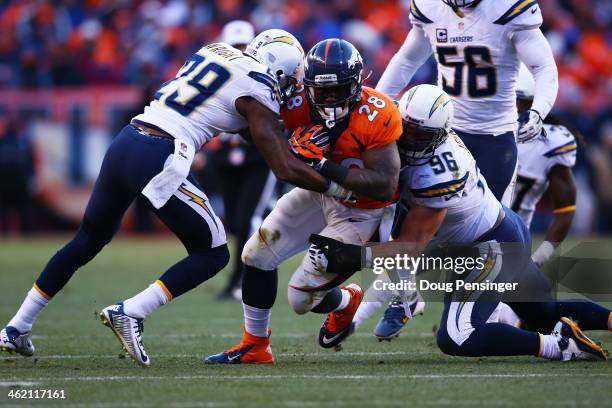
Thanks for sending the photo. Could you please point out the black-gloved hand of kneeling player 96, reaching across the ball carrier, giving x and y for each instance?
(342, 258)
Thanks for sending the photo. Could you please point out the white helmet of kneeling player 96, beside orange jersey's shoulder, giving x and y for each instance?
(427, 113)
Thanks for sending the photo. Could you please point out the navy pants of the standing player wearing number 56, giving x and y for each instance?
(496, 157)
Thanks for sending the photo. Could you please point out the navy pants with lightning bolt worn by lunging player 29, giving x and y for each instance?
(131, 161)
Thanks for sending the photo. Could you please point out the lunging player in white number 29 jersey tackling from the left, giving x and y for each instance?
(219, 89)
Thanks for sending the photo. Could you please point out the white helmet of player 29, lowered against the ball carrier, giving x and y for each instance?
(282, 53)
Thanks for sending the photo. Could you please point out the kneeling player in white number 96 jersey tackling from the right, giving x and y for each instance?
(450, 203)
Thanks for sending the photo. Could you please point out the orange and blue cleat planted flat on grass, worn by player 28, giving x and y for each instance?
(251, 350)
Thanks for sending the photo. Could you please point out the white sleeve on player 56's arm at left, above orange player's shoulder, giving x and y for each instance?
(411, 55)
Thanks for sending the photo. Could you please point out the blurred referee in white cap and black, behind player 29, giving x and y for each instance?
(247, 185)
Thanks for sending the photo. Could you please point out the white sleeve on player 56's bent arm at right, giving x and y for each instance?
(533, 49)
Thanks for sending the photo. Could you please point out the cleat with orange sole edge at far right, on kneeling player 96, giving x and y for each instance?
(575, 345)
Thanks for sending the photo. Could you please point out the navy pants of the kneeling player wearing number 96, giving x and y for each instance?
(465, 329)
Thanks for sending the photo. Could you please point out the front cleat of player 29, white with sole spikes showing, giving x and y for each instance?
(128, 330)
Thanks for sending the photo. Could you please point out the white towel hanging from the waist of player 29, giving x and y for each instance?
(176, 169)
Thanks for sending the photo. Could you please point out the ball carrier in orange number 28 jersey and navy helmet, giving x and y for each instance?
(346, 132)
